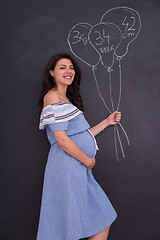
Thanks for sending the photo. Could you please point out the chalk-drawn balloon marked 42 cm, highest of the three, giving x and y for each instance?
(128, 20)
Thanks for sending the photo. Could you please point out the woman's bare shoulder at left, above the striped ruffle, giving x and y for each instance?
(51, 97)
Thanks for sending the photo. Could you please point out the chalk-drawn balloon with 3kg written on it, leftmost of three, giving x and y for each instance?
(80, 46)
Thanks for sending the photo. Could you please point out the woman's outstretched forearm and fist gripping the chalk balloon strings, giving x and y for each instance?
(112, 119)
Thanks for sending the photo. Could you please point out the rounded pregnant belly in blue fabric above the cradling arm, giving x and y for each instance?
(86, 142)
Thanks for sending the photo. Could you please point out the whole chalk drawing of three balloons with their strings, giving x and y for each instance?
(104, 43)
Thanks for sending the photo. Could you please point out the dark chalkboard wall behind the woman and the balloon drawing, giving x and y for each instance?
(31, 32)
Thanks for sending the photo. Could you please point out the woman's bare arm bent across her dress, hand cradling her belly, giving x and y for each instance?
(69, 146)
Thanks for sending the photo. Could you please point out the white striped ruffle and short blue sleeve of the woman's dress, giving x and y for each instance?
(57, 116)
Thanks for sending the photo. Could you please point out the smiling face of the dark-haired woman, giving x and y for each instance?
(63, 72)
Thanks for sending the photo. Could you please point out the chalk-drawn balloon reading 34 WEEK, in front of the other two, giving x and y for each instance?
(105, 38)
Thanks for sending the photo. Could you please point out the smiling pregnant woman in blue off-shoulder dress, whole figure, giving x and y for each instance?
(73, 204)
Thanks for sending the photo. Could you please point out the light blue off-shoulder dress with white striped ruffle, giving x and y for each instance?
(73, 204)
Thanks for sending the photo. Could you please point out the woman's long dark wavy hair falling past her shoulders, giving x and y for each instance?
(73, 90)
